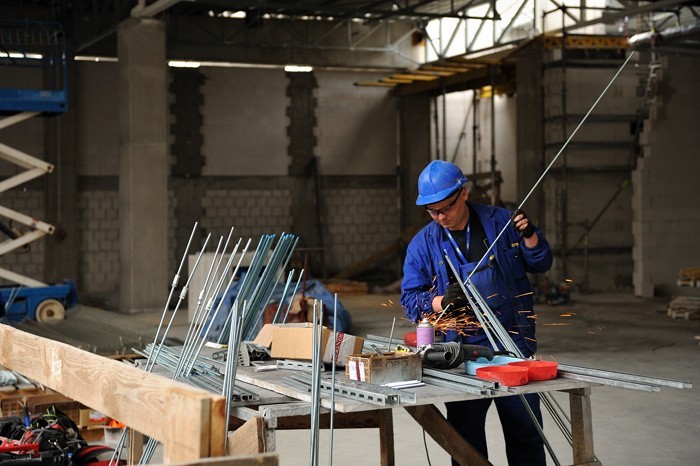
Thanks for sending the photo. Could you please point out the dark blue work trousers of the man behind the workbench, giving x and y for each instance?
(524, 446)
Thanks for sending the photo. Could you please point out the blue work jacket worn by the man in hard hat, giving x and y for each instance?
(501, 278)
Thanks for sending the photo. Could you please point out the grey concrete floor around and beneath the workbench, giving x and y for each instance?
(605, 331)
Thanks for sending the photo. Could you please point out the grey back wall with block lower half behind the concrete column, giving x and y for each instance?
(244, 180)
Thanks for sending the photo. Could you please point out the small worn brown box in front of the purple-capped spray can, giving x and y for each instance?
(391, 367)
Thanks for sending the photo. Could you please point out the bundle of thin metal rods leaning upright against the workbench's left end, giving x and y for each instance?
(256, 288)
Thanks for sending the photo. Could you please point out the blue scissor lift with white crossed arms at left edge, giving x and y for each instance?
(39, 45)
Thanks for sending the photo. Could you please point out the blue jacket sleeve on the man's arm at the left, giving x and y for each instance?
(418, 285)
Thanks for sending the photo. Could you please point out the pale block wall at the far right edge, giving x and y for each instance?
(666, 214)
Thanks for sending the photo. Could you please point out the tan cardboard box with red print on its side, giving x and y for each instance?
(295, 341)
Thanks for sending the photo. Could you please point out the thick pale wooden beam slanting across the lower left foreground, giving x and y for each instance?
(171, 412)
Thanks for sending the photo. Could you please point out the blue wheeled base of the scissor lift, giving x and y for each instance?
(43, 304)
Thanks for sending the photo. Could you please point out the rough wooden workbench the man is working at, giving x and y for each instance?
(284, 406)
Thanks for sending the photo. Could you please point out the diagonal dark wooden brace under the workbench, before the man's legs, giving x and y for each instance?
(431, 419)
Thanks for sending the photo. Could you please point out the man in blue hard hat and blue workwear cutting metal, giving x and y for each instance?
(463, 231)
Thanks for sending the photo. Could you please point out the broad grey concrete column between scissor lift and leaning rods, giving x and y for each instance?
(143, 165)
